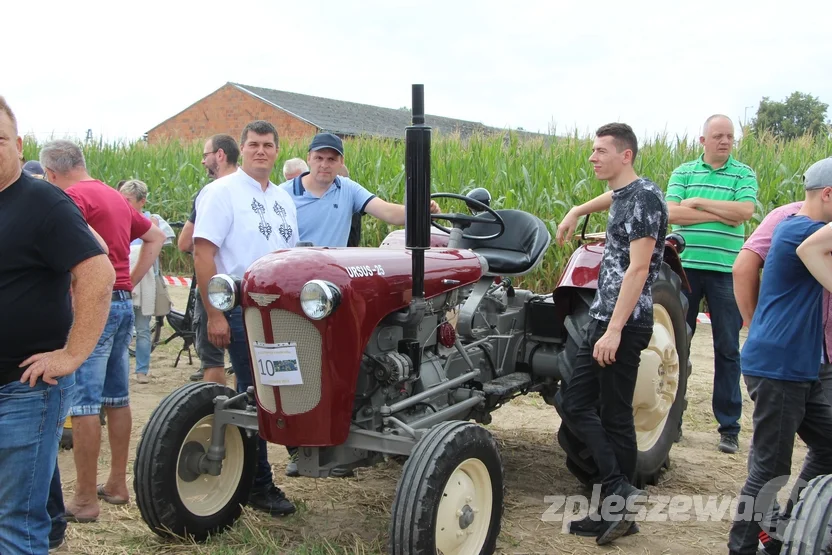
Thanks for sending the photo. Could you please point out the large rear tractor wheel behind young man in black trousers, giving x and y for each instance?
(659, 399)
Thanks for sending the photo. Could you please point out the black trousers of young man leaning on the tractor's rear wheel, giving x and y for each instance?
(609, 433)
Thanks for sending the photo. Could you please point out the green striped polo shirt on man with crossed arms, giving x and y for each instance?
(713, 245)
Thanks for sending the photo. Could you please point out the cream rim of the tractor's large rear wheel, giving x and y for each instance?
(658, 381)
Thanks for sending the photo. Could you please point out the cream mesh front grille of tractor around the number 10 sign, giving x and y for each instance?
(290, 327)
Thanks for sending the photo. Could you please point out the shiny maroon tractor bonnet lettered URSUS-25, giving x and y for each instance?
(368, 296)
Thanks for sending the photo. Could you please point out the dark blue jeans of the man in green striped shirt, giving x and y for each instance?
(726, 322)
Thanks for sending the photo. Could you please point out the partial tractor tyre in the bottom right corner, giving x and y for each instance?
(809, 531)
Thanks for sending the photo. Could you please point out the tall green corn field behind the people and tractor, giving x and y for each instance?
(545, 178)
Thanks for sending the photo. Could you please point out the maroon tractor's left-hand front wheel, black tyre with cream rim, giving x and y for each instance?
(174, 499)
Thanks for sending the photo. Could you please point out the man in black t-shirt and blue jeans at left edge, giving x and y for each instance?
(47, 251)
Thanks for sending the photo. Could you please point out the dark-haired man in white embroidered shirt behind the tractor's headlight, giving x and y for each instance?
(240, 218)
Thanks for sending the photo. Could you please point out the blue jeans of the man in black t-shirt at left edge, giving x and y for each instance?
(32, 419)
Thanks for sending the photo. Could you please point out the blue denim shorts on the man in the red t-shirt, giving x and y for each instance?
(104, 378)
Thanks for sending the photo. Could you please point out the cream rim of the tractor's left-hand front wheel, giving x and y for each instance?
(207, 495)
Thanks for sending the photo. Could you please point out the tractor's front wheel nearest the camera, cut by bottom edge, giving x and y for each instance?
(449, 499)
